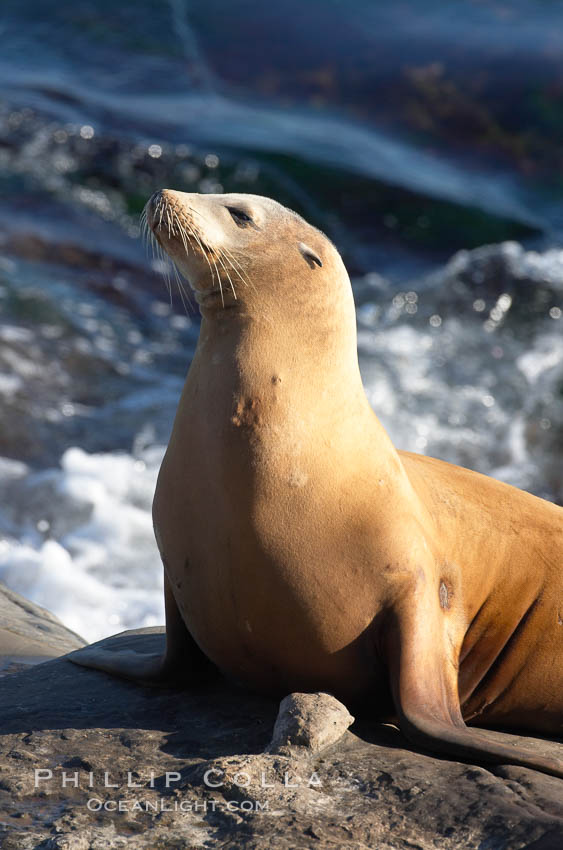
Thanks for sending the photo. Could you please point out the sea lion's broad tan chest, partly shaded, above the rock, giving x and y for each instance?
(266, 586)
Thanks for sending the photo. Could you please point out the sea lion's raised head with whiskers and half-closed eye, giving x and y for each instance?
(246, 251)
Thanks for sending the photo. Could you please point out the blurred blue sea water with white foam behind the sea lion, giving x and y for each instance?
(425, 138)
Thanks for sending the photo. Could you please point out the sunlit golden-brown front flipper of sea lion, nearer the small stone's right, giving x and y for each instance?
(423, 679)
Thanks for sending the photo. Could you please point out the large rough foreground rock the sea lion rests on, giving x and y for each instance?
(204, 780)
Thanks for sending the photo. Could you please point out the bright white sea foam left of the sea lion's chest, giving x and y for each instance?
(85, 548)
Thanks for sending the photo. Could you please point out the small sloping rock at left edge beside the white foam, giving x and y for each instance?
(30, 634)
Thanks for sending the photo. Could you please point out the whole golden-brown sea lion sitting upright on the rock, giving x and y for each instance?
(301, 550)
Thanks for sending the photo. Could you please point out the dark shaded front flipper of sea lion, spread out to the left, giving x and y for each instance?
(182, 660)
